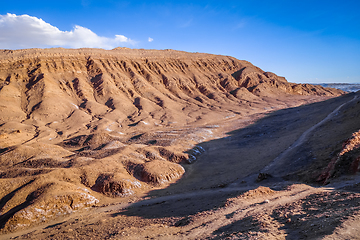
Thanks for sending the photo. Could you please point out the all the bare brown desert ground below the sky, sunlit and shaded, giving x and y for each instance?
(149, 144)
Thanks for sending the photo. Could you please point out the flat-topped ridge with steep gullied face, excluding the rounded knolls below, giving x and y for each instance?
(54, 86)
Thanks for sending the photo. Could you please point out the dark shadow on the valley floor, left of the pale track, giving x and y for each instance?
(205, 186)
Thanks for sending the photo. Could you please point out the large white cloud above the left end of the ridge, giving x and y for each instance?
(25, 31)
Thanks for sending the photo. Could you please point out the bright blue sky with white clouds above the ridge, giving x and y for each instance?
(304, 41)
